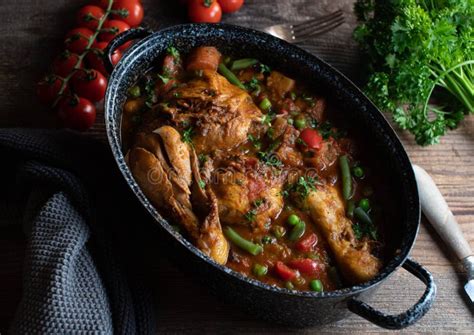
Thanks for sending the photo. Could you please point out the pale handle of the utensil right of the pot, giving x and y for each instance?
(438, 213)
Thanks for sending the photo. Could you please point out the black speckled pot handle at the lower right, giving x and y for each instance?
(407, 318)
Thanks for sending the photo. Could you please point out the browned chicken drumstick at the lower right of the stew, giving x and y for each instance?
(354, 257)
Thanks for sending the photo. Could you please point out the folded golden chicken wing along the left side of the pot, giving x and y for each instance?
(165, 176)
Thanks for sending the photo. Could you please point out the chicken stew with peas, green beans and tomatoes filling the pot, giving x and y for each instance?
(247, 163)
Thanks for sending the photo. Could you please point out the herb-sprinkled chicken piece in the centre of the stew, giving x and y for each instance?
(248, 198)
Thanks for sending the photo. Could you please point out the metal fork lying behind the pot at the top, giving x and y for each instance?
(295, 33)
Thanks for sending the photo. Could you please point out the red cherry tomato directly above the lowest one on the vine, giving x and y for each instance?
(90, 84)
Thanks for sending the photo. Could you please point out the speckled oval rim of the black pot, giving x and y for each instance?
(143, 45)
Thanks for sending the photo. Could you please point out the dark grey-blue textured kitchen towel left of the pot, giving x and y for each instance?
(63, 187)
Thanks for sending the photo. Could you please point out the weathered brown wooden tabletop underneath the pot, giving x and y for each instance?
(31, 33)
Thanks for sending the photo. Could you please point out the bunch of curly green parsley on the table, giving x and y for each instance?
(419, 52)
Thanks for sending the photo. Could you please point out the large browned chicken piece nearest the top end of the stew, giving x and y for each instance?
(222, 114)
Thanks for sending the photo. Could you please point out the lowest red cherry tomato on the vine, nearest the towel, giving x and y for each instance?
(77, 113)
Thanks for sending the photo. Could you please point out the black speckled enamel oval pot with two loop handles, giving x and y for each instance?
(264, 301)
